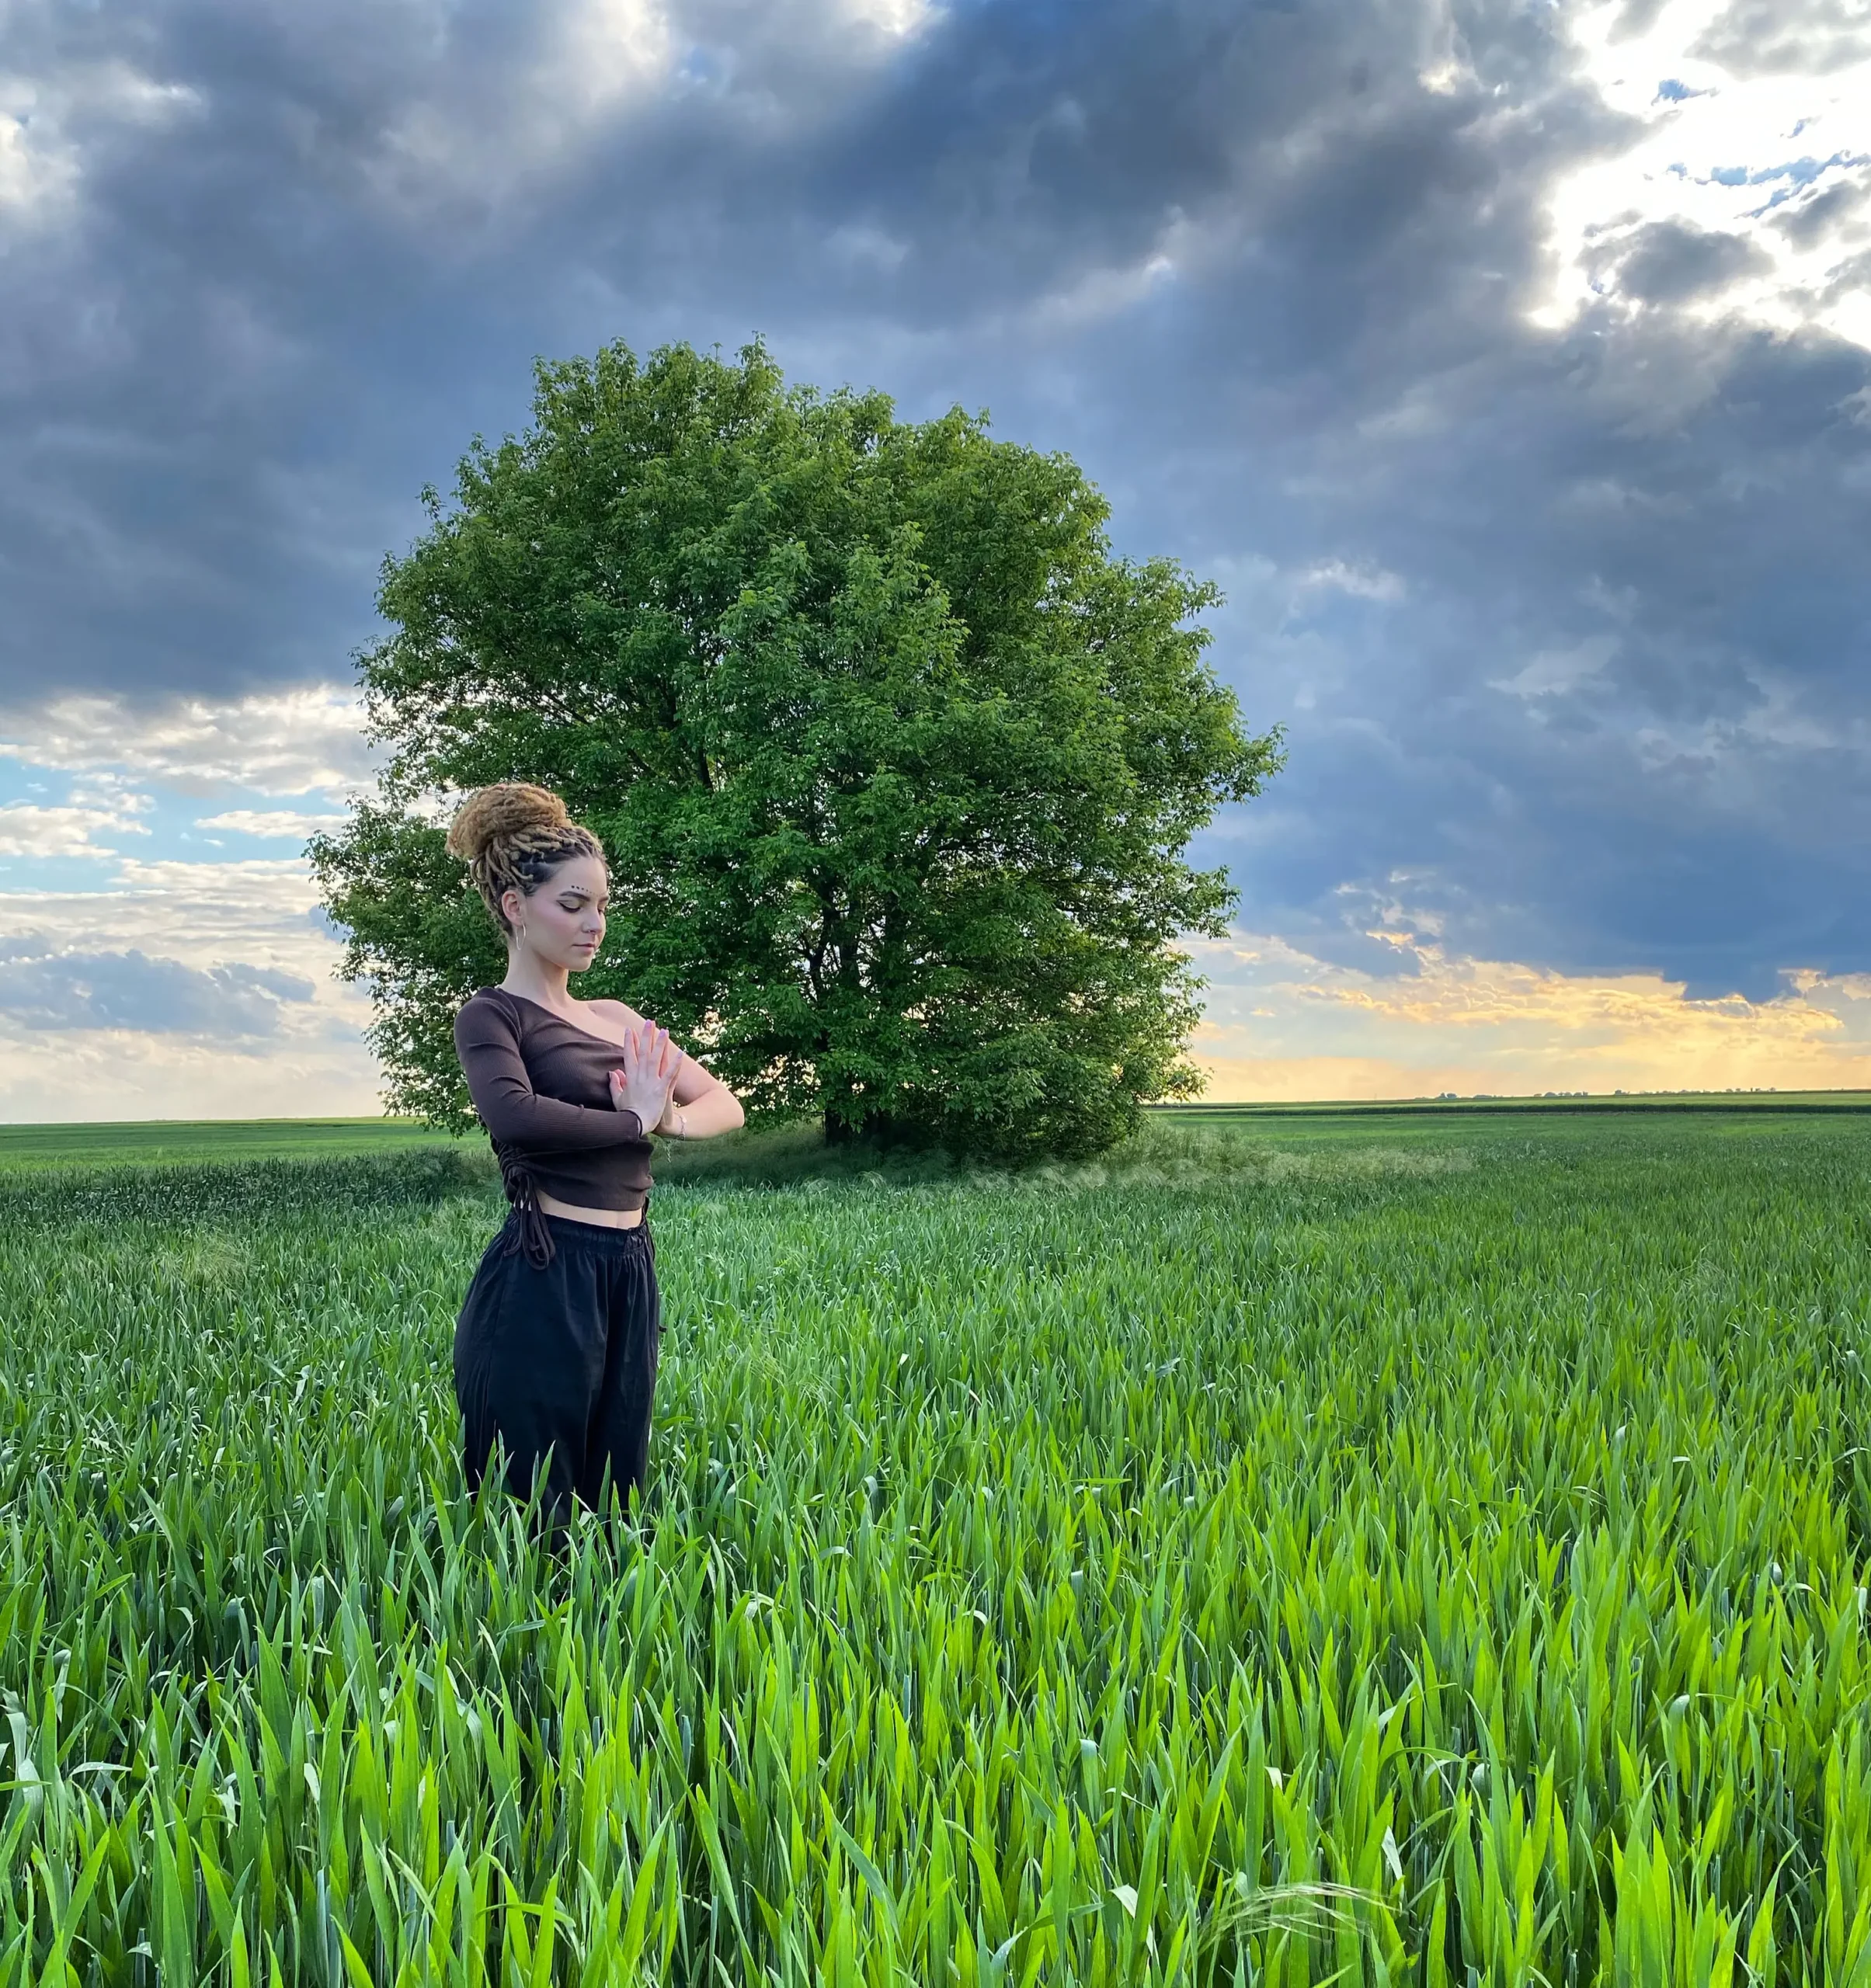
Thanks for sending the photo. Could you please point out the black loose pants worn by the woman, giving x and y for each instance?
(560, 1361)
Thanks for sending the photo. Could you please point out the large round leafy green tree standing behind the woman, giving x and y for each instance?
(894, 760)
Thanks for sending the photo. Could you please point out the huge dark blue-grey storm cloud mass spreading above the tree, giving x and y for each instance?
(1568, 629)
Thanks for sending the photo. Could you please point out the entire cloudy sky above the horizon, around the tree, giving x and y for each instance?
(1508, 365)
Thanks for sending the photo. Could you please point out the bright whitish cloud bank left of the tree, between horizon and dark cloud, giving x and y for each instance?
(178, 989)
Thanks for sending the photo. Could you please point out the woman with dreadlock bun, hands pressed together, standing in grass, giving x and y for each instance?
(558, 1343)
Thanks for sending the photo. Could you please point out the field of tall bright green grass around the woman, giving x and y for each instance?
(1295, 1550)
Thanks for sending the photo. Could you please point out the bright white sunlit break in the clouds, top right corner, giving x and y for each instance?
(1747, 194)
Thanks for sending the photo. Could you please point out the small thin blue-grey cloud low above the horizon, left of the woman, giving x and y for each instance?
(45, 987)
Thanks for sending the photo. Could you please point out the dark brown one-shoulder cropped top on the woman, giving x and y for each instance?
(542, 1086)
